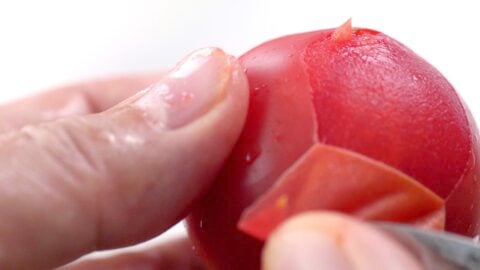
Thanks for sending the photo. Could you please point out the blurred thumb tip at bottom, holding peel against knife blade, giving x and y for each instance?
(333, 241)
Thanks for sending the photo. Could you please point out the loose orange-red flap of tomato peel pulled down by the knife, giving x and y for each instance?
(337, 179)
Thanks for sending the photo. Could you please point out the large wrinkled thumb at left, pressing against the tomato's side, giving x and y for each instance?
(121, 176)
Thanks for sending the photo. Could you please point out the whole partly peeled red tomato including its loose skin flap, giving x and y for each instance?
(383, 108)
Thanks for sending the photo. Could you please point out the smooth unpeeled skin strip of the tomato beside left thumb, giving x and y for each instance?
(263, 152)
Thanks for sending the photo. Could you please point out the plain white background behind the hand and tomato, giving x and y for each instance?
(46, 43)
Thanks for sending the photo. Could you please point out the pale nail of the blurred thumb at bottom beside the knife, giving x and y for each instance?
(306, 251)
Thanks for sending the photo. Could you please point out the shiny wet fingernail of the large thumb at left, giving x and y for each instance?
(190, 90)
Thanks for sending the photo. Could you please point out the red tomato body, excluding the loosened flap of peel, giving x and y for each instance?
(304, 90)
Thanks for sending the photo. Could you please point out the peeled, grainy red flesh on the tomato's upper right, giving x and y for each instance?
(376, 97)
